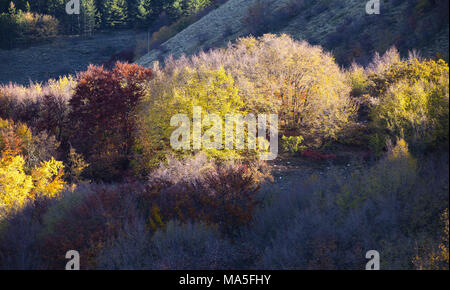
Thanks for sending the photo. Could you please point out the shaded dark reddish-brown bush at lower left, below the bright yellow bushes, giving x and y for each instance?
(85, 221)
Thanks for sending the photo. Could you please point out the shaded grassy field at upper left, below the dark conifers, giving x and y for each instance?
(65, 55)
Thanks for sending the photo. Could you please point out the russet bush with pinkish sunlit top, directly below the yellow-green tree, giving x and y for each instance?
(223, 195)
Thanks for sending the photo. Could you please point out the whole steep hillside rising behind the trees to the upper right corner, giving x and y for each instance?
(343, 28)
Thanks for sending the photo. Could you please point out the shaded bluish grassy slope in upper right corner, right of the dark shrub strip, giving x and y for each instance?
(351, 22)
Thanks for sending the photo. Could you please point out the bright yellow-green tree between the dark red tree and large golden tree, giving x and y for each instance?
(177, 92)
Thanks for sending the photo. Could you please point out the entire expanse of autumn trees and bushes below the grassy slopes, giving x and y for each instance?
(86, 163)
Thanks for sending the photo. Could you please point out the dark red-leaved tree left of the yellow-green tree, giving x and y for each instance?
(102, 116)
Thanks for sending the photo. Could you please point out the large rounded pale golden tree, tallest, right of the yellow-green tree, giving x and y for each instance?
(299, 82)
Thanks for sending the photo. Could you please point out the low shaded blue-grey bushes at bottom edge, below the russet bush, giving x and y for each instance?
(177, 246)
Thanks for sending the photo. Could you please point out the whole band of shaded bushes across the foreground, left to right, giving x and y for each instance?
(320, 222)
